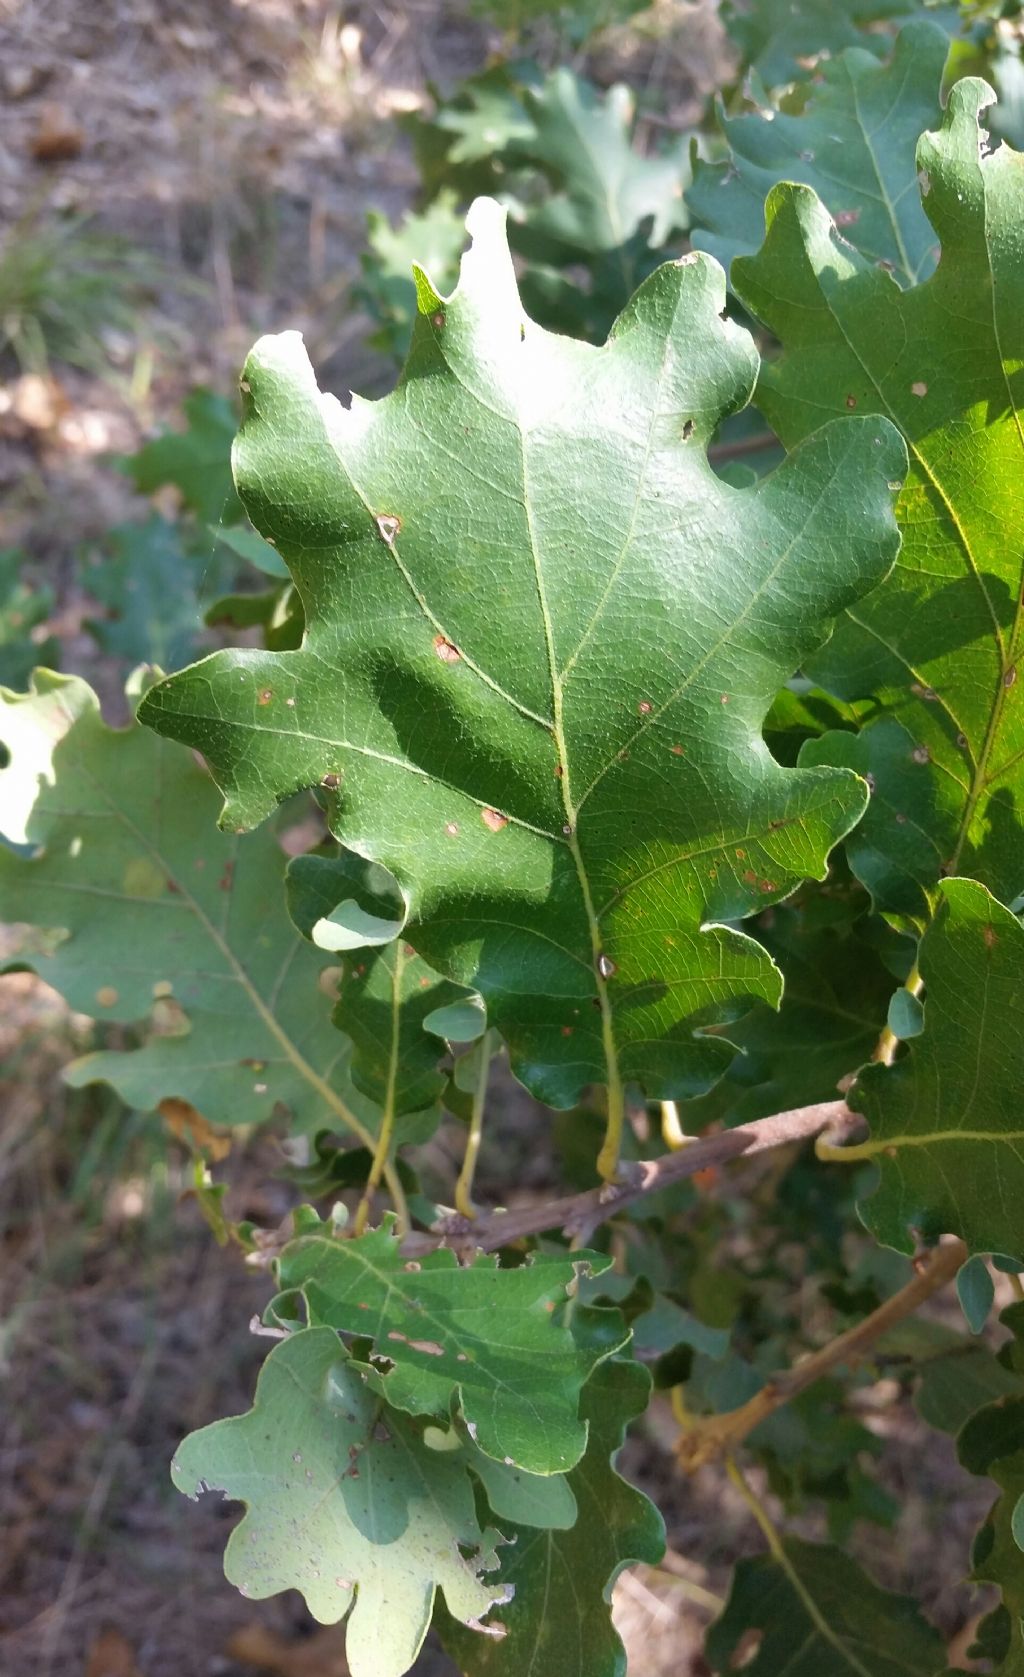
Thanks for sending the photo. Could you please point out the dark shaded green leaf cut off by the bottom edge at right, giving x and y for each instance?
(817, 1611)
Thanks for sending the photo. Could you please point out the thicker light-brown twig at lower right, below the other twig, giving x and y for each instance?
(708, 1438)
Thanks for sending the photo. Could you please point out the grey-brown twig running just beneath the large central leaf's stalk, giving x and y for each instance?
(597, 1205)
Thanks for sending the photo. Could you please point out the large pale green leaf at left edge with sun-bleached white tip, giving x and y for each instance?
(163, 916)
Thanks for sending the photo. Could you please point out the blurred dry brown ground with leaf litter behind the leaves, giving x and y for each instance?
(237, 143)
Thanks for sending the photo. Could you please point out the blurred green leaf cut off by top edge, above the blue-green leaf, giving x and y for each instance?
(787, 39)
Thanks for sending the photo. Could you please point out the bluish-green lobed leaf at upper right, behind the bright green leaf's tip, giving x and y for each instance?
(854, 143)
